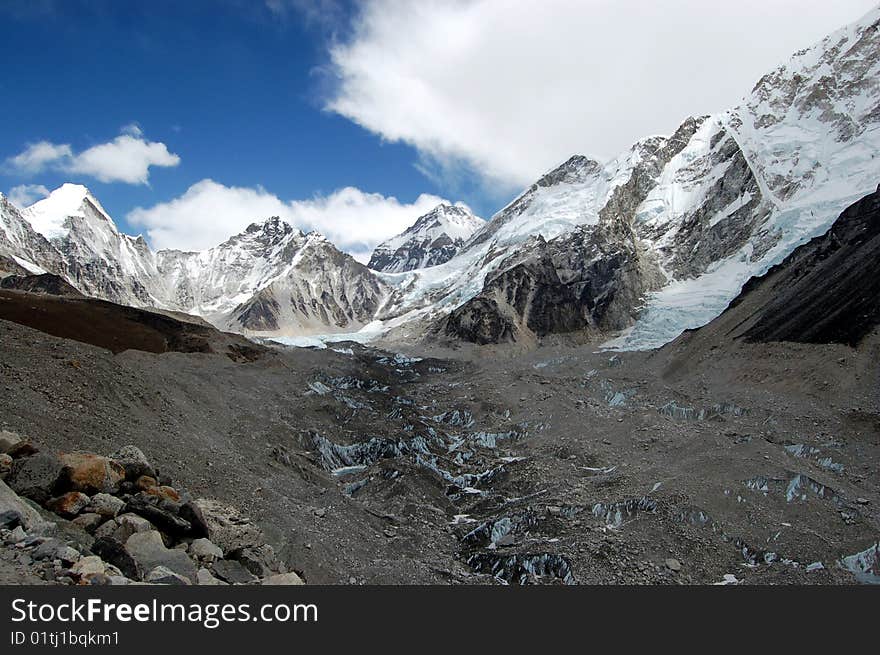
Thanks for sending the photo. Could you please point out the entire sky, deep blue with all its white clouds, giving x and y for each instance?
(354, 118)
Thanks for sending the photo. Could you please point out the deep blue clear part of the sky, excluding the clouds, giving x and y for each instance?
(231, 88)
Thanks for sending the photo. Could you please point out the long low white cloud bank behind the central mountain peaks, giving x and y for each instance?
(209, 212)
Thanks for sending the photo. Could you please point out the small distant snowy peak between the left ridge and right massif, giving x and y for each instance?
(433, 239)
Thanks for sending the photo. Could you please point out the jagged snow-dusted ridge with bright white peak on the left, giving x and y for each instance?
(270, 279)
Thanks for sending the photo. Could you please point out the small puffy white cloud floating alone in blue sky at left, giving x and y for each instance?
(127, 158)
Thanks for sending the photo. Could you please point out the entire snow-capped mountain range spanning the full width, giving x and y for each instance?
(655, 241)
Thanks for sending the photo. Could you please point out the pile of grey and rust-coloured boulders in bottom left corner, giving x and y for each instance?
(83, 518)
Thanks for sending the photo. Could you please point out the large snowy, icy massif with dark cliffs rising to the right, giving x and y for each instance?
(668, 232)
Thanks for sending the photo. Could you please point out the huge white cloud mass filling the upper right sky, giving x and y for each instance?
(512, 88)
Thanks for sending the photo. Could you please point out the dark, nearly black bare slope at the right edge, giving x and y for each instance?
(827, 290)
